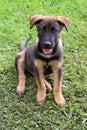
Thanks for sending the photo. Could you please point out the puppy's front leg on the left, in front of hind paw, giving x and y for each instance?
(40, 80)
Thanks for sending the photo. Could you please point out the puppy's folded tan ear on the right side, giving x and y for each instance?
(64, 21)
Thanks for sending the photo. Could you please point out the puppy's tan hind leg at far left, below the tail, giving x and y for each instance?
(21, 75)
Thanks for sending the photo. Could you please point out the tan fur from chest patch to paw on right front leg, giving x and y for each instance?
(58, 96)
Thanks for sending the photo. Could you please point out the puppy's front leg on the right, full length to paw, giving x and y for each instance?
(57, 90)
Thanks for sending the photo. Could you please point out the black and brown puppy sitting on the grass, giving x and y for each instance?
(44, 57)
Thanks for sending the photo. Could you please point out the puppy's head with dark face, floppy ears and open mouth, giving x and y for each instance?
(48, 28)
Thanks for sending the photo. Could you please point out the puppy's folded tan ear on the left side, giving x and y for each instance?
(36, 19)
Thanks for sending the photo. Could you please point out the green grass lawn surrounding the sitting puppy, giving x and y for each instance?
(22, 113)
